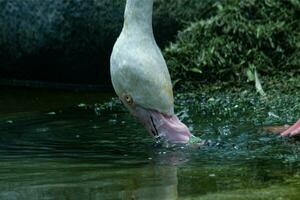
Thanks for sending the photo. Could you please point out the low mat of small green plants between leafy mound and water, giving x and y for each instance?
(280, 106)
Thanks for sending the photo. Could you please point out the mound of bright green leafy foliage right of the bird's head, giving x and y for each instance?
(240, 37)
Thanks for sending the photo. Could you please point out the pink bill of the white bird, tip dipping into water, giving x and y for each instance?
(164, 127)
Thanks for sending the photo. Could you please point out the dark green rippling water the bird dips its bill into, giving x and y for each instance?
(59, 145)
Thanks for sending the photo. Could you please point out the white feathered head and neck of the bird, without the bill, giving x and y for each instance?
(138, 68)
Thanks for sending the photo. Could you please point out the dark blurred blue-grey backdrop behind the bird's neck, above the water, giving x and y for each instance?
(59, 41)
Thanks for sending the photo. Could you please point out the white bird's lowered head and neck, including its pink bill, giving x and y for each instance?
(140, 76)
